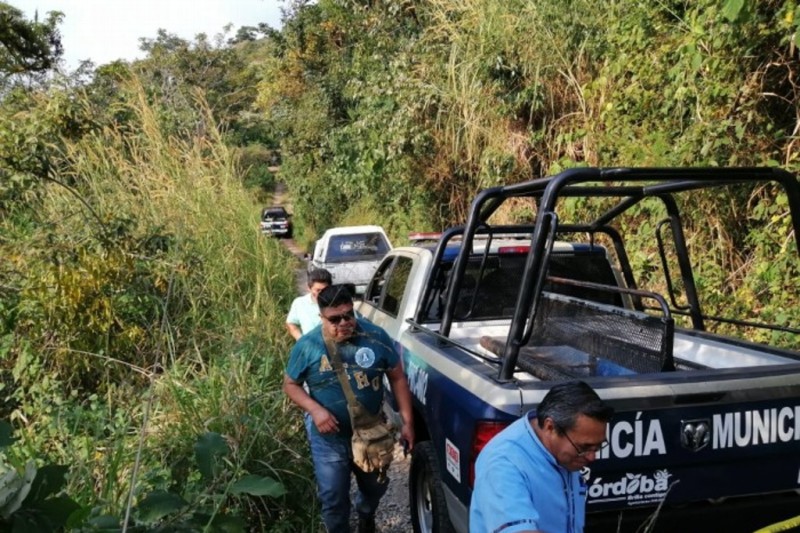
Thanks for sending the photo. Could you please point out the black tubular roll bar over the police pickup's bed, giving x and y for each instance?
(655, 182)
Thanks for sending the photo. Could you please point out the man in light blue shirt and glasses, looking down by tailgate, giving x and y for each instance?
(527, 478)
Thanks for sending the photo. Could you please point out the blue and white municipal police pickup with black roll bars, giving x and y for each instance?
(603, 285)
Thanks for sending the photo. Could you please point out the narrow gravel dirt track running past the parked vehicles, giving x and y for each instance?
(394, 515)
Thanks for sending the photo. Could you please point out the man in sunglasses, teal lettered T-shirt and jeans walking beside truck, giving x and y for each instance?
(367, 354)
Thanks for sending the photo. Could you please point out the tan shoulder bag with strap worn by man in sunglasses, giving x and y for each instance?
(373, 437)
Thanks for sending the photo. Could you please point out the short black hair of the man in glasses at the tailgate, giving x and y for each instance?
(567, 400)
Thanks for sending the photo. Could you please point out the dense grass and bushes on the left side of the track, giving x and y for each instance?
(141, 312)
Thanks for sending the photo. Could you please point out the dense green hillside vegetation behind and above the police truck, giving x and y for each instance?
(383, 104)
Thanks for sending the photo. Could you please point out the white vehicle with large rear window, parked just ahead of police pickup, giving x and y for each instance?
(351, 253)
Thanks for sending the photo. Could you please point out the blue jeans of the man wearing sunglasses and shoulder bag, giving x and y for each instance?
(333, 463)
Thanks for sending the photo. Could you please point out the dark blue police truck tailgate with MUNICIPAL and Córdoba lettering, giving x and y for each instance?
(696, 451)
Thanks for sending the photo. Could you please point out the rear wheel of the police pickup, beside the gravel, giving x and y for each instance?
(425, 494)
